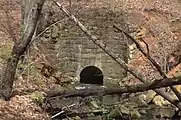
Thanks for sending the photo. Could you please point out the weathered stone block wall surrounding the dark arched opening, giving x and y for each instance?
(71, 50)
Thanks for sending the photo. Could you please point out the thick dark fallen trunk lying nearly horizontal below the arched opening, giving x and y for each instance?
(124, 89)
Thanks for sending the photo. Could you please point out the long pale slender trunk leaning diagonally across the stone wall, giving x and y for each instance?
(116, 59)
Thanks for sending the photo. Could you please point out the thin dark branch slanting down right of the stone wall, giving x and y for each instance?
(150, 59)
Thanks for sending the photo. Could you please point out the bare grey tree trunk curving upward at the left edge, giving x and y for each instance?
(31, 10)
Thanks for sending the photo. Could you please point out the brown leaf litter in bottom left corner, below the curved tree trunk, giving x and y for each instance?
(21, 108)
